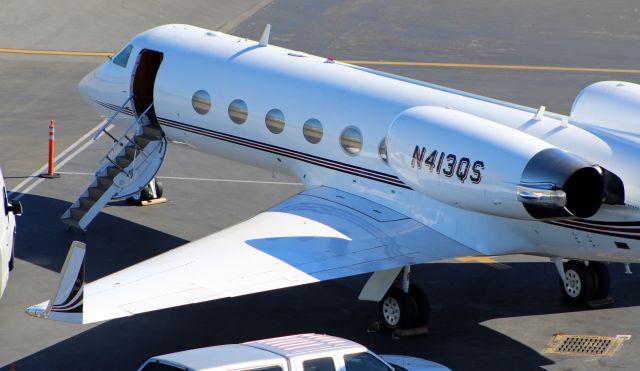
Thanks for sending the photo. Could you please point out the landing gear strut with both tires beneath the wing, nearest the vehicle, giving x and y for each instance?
(404, 306)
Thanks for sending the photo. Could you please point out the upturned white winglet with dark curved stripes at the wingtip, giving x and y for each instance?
(67, 304)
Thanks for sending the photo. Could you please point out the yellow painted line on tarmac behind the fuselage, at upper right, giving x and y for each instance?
(492, 66)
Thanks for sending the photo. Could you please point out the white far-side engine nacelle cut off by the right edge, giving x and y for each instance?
(608, 101)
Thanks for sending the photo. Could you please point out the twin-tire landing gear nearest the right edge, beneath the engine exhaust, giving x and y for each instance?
(584, 282)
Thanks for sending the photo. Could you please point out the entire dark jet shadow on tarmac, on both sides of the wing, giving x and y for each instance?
(463, 296)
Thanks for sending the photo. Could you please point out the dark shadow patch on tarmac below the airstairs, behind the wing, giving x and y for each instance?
(112, 244)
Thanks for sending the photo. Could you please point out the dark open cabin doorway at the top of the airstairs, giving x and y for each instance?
(143, 81)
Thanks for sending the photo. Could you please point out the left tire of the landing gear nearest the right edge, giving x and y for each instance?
(580, 284)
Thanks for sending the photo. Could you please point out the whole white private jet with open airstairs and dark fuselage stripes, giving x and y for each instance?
(396, 172)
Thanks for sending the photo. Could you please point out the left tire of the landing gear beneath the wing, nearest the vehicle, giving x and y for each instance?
(397, 309)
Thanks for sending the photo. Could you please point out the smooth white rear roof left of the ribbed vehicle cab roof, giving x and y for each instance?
(220, 357)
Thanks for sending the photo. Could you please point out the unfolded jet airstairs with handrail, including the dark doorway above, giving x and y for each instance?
(135, 158)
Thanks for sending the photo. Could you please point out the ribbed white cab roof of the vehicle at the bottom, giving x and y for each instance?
(306, 344)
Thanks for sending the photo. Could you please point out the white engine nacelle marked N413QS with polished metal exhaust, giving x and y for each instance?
(480, 165)
